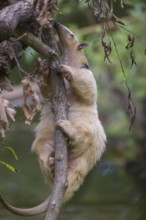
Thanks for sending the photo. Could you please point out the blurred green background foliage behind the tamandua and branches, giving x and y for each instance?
(115, 189)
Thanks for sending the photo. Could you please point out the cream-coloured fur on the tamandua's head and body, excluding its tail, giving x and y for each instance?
(85, 134)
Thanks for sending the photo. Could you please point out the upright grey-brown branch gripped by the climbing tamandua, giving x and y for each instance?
(60, 109)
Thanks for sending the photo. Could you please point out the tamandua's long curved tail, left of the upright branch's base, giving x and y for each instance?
(37, 210)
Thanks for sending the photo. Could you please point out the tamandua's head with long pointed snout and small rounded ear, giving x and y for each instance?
(72, 49)
